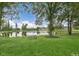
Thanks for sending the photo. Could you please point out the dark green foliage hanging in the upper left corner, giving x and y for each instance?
(4, 5)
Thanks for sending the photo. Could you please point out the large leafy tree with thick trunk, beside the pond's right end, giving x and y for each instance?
(44, 11)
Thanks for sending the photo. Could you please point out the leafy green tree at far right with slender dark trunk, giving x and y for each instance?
(69, 14)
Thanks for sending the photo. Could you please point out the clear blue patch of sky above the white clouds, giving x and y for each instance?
(26, 16)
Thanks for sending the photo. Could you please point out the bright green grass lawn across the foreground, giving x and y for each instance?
(43, 46)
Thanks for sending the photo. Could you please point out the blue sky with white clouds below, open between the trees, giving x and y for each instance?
(24, 18)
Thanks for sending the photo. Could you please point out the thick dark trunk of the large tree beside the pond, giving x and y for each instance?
(50, 18)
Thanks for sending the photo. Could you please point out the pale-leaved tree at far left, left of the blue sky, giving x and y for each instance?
(8, 11)
